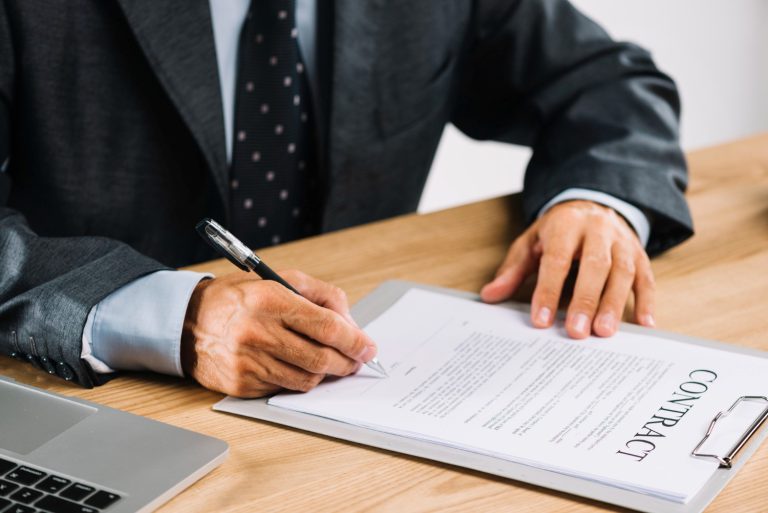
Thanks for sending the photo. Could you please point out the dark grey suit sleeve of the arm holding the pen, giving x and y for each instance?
(48, 285)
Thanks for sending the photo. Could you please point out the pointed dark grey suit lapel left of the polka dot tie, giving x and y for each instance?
(177, 38)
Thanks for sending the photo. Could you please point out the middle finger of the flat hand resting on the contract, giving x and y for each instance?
(594, 267)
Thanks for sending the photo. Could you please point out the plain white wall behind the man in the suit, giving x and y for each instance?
(716, 50)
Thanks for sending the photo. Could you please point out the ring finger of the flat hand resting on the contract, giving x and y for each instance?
(623, 270)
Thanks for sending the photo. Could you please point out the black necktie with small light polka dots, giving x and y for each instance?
(271, 176)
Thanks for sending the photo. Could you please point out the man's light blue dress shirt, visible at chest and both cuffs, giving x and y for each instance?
(138, 327)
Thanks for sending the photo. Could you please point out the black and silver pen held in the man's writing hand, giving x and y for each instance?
(239, 254)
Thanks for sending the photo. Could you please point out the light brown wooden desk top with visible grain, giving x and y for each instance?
(714, 286)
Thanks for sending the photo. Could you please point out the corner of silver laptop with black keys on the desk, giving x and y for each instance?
(60, 454)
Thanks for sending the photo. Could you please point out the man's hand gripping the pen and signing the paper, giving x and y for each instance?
(248, 337)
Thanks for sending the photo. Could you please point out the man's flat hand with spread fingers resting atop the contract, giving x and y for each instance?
(612, 263)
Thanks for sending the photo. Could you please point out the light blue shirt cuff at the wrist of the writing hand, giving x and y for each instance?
(138, 327)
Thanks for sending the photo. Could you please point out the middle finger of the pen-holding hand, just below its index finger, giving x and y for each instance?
(310, 356)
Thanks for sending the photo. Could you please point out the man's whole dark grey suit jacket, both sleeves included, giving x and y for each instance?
(110, 115)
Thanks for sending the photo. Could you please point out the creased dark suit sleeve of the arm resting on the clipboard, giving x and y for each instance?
(598, 114)
